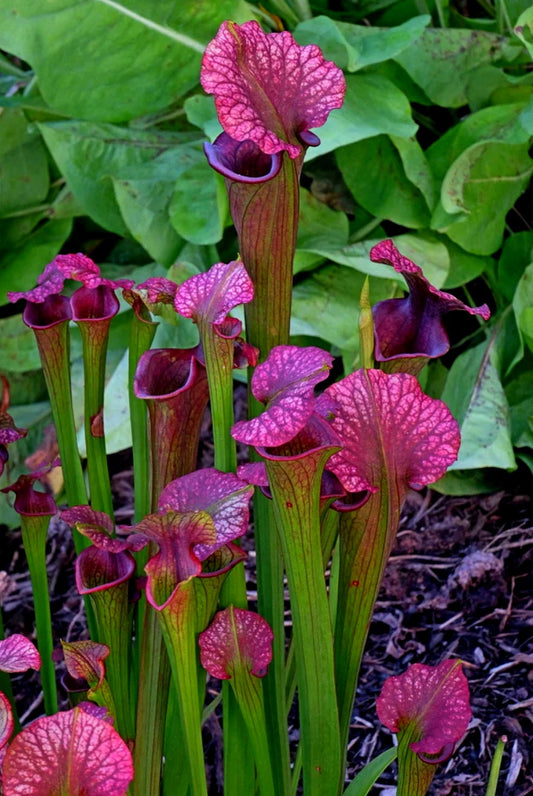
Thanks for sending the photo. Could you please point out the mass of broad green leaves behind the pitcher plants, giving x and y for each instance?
(102, 122)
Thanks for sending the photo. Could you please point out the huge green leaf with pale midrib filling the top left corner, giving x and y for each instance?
(113, 61)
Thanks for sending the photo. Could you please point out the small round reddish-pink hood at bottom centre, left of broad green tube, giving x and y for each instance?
(236, 638)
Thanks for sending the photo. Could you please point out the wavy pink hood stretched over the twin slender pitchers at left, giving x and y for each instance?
(67, 266)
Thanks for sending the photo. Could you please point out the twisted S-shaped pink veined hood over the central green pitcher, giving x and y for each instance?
(285, 383)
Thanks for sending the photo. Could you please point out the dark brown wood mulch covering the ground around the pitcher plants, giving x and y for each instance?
(458, 584)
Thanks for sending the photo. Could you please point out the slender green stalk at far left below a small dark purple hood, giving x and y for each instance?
(34, 531)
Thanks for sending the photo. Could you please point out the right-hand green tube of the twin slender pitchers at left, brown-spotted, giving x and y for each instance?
(94, 335)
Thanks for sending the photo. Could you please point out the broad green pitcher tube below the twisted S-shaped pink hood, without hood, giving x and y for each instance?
(295, 486)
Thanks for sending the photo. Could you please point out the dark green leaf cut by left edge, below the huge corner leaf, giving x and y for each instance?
(24, 172)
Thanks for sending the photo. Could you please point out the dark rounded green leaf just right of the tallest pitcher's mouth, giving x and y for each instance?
(386, 191)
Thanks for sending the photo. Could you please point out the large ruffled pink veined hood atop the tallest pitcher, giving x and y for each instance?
(268, 89)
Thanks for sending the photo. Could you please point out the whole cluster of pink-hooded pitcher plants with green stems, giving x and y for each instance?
(330, 465)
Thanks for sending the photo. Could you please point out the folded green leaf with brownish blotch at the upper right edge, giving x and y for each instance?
(478, 190)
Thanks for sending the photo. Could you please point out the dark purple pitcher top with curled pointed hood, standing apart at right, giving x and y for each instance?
(409, 331)
